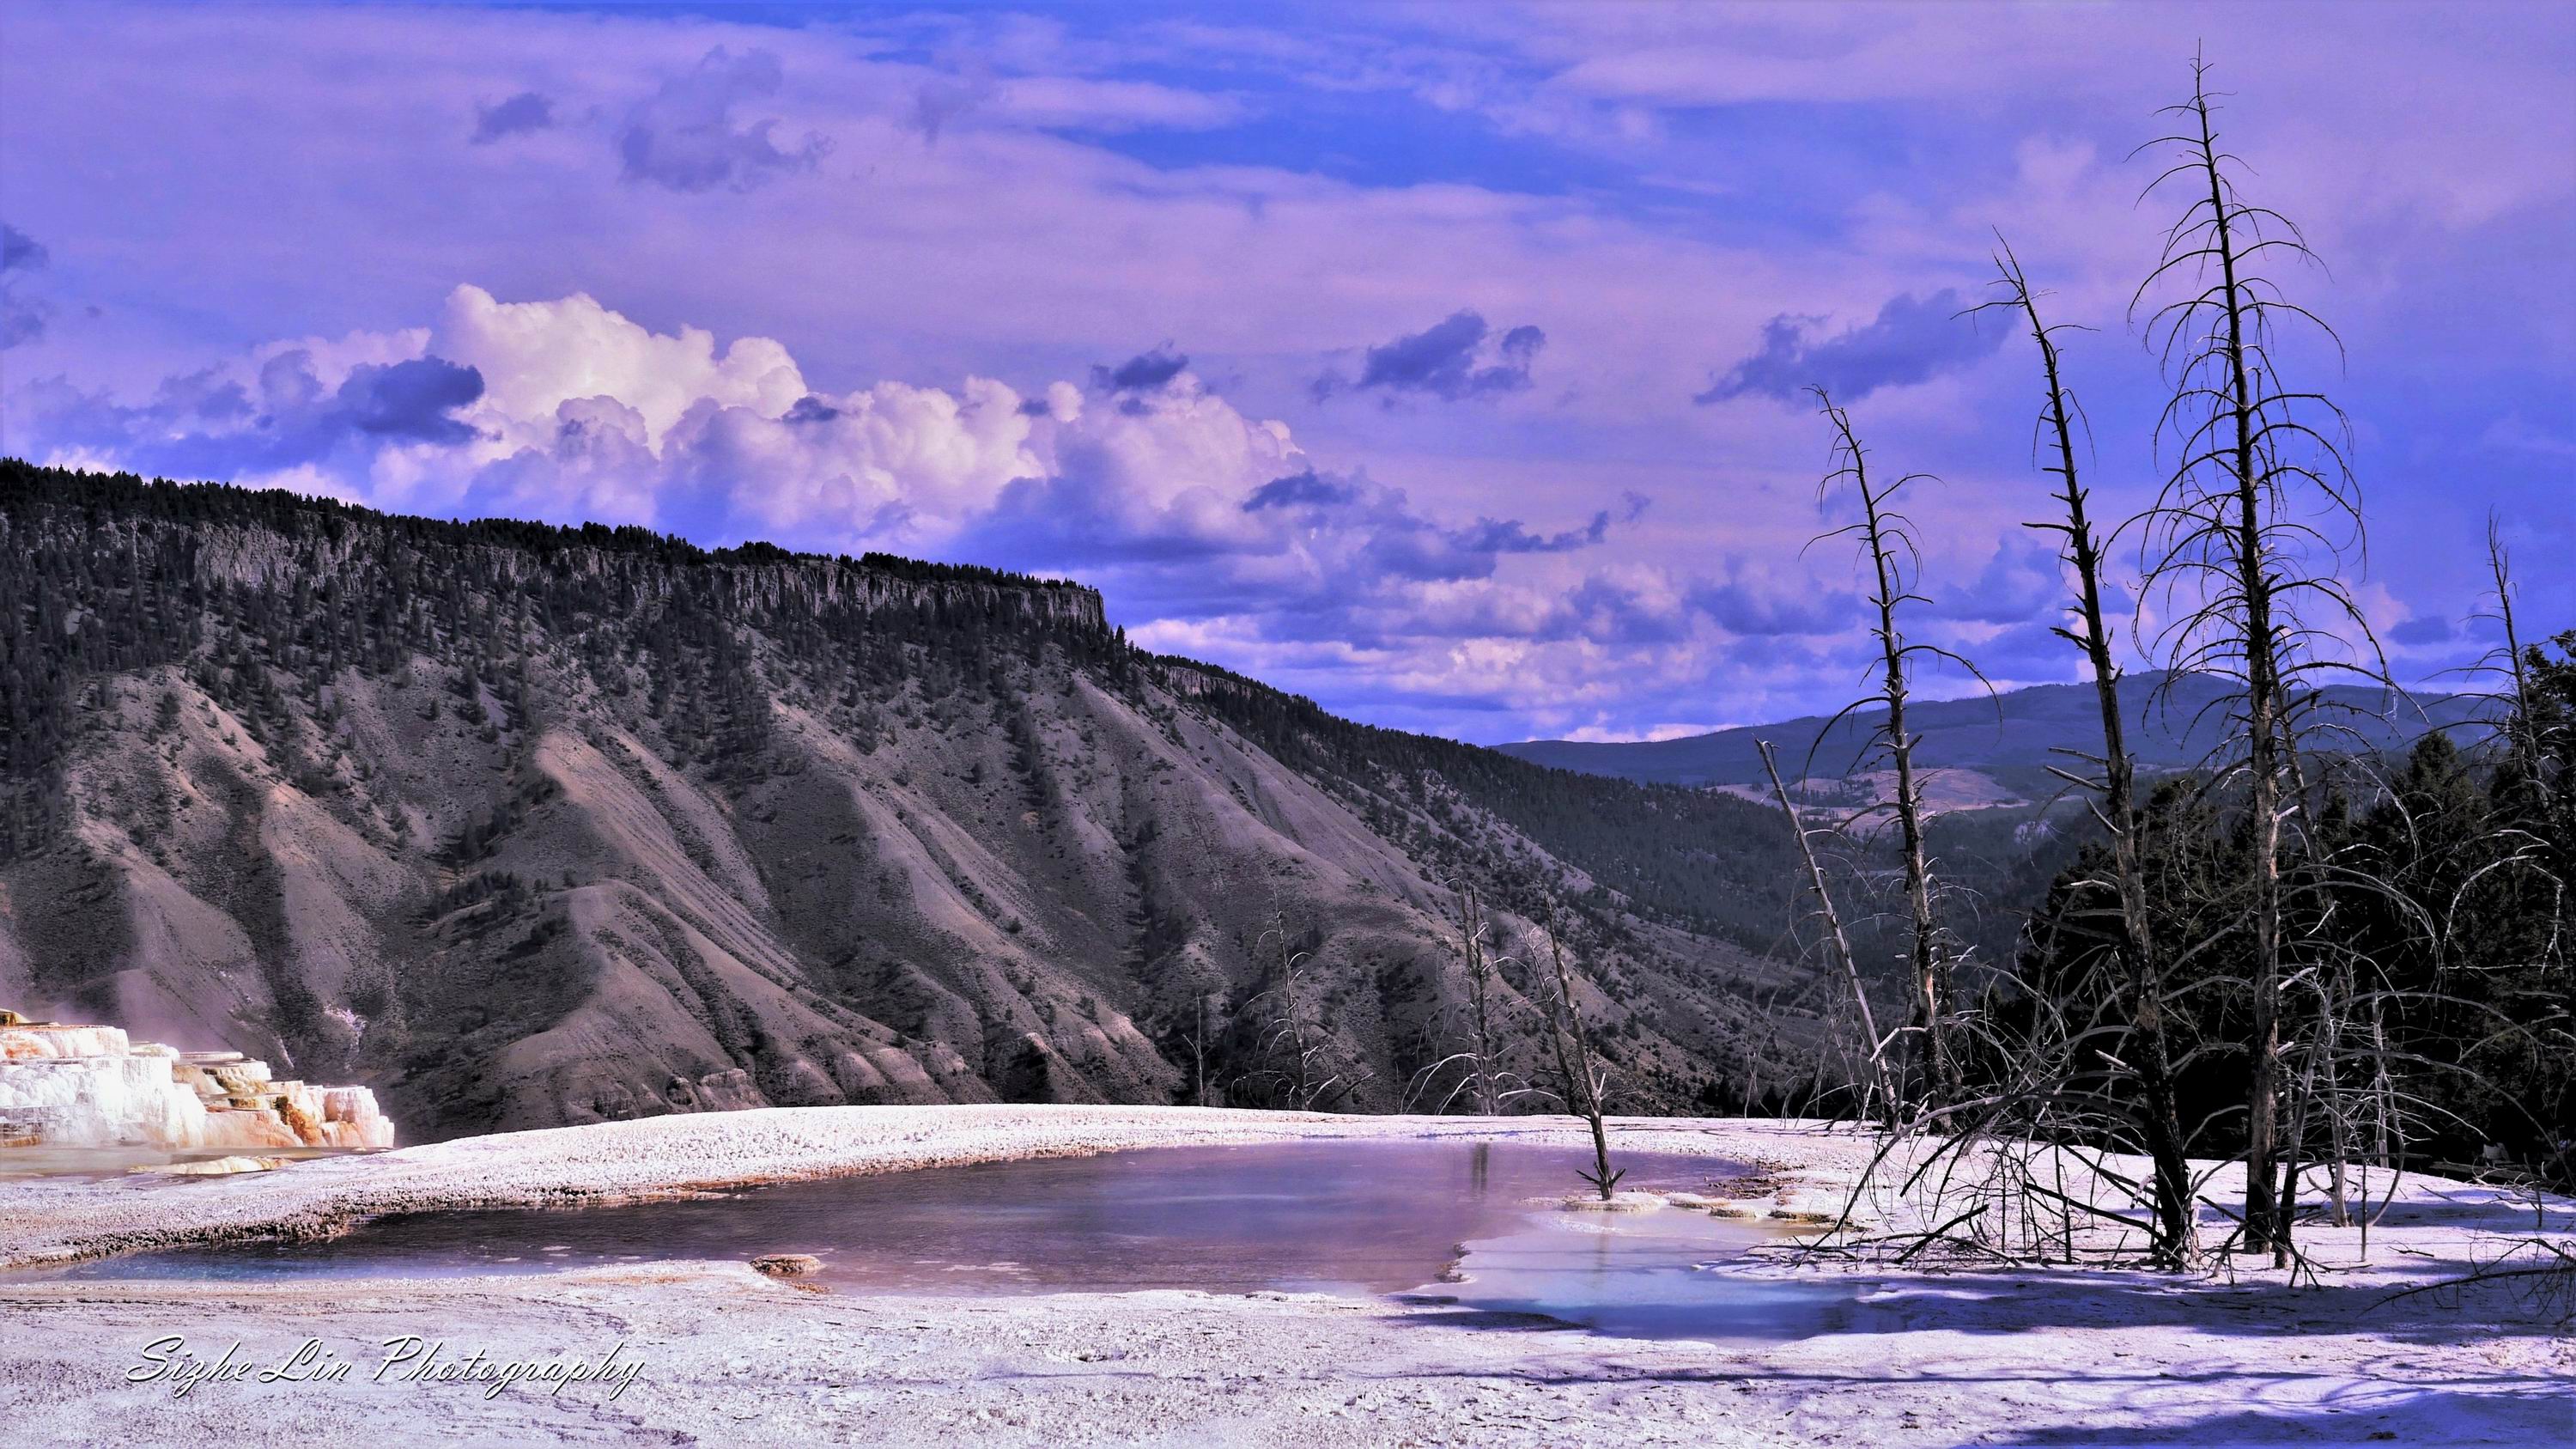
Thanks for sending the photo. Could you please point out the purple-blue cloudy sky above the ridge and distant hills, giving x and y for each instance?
(1439, 362)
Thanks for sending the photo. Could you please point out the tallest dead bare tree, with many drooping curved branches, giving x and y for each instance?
(2235, 545)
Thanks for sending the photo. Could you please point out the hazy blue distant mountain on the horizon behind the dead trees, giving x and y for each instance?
(2005, 741)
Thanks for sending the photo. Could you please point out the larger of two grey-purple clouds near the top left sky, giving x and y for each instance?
(687, 135)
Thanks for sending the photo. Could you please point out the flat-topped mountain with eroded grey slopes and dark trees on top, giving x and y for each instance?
(535, 826)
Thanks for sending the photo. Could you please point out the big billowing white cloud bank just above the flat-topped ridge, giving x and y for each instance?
(571, 411)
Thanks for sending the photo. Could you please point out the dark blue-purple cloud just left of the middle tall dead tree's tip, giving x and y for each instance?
(1913, 339)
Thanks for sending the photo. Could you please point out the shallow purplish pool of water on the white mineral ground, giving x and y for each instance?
(1305, 1218)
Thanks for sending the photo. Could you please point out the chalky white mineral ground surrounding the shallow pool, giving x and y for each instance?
(730, 1357)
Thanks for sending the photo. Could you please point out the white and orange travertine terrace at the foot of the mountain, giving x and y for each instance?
(89, 1087)
